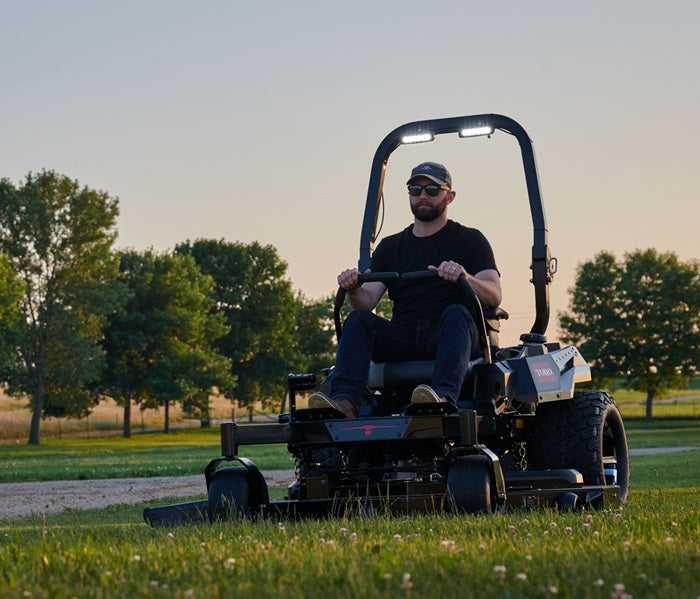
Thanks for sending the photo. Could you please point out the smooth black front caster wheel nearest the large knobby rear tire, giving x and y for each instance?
(469, 487)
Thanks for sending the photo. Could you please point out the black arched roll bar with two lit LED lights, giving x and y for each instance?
(543, 266)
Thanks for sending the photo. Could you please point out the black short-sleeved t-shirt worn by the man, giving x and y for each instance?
(404, 252)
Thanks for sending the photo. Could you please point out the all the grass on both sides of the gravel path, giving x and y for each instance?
(650, 548)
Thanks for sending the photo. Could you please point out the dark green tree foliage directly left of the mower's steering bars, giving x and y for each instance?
(264, 343)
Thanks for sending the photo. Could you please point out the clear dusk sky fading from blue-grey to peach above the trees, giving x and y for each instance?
(258, 121)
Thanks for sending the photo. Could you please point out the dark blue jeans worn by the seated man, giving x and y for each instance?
(451, 342)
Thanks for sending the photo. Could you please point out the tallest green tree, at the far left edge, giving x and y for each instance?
(58, 238)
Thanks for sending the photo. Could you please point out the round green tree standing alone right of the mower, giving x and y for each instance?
(638, 319)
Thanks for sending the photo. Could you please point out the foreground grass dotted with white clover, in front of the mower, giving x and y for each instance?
(648, 549)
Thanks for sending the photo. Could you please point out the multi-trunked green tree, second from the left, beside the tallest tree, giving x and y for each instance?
(159, 344)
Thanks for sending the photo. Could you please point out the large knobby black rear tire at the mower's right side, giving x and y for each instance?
(585, 433)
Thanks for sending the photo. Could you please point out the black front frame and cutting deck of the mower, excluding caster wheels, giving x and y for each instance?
(364, 490)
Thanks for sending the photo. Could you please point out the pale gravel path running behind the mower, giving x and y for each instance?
(20, 500)
